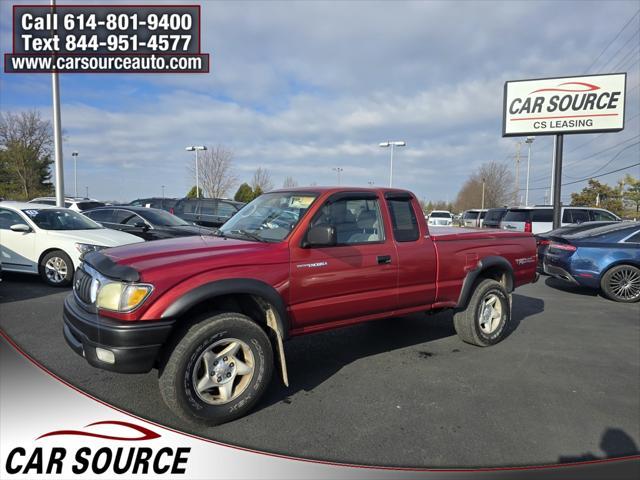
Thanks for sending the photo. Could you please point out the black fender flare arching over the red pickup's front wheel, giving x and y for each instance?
(219, 288)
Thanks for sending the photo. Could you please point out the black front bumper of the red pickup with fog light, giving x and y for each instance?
(118, 346)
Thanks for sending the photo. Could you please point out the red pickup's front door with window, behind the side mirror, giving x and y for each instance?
(355, 277)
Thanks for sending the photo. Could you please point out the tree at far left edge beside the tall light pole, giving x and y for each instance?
(26, 142)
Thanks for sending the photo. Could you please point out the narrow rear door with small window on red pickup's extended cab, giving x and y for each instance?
(417, 261)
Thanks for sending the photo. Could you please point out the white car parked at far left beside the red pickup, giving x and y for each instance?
(50, 241)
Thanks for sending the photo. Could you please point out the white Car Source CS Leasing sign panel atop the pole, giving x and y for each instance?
(553, 106)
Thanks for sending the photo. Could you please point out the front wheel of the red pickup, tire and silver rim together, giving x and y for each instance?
(218, 370)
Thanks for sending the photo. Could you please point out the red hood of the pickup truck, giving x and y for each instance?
(192, 254)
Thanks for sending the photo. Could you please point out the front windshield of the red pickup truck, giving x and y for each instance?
(270, 217)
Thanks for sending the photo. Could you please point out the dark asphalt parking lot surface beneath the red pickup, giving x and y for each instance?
(406, 391)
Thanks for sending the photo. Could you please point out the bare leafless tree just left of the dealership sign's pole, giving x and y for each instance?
(498, 187)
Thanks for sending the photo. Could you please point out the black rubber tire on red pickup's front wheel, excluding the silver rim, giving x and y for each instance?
(177, 376)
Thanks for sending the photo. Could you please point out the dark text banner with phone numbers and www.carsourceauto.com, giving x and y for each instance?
(67, 37)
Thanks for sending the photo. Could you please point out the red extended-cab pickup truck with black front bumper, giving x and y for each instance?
(211, 313)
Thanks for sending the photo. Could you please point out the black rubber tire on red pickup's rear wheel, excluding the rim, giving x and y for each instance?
(468, 322)
